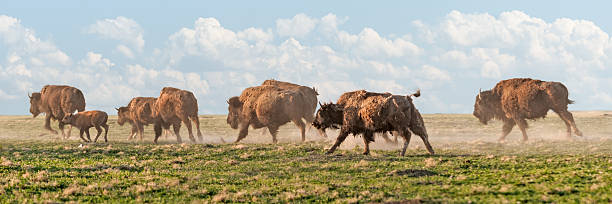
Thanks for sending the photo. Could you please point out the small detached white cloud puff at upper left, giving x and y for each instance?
(121, 28)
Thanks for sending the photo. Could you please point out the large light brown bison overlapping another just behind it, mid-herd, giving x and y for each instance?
(265, 106)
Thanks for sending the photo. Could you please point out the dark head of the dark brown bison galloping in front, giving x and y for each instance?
(328, 116)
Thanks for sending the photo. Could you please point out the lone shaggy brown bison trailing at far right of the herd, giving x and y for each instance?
(514, 100)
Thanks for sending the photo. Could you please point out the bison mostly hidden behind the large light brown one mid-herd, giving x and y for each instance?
(306, 94)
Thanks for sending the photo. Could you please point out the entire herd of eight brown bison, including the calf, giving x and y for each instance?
(275, 103)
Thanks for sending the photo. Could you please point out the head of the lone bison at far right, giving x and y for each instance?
(486, 105)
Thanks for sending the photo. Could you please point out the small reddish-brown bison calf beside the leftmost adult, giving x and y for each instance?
(87, 119)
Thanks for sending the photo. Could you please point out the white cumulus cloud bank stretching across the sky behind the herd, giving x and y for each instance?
(449, 59)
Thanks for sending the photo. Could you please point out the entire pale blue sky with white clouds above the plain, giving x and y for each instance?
(116, 50)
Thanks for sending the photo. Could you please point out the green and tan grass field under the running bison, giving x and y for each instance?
(468, 166)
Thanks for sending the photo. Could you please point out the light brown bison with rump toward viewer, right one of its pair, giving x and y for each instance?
(174, 106)
